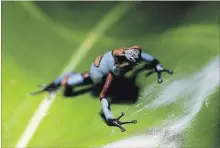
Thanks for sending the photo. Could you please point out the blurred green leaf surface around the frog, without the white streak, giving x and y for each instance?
(39, 39)
